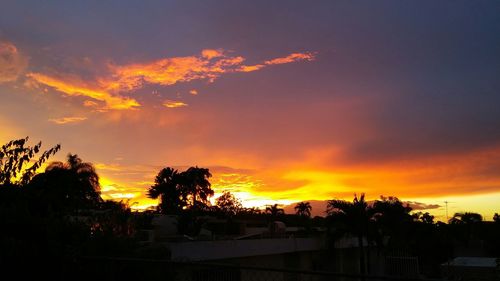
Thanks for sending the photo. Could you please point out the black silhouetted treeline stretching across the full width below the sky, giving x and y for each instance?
(59, 213)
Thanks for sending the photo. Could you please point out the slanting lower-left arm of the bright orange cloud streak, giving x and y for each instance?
(78, 88)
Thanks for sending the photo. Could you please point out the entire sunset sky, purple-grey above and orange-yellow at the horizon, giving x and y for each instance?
(283, 101)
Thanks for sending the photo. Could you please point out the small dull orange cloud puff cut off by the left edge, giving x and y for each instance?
(12, 62)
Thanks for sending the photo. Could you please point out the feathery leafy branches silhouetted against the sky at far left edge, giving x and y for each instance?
(15, 156)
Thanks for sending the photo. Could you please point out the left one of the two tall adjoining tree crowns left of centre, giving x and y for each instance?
(166, 188)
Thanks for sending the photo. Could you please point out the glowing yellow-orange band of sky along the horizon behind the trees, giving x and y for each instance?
(409, 182)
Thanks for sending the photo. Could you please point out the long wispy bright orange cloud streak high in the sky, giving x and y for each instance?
(209, 65)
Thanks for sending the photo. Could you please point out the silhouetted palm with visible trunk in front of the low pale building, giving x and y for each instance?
(353, 217)
